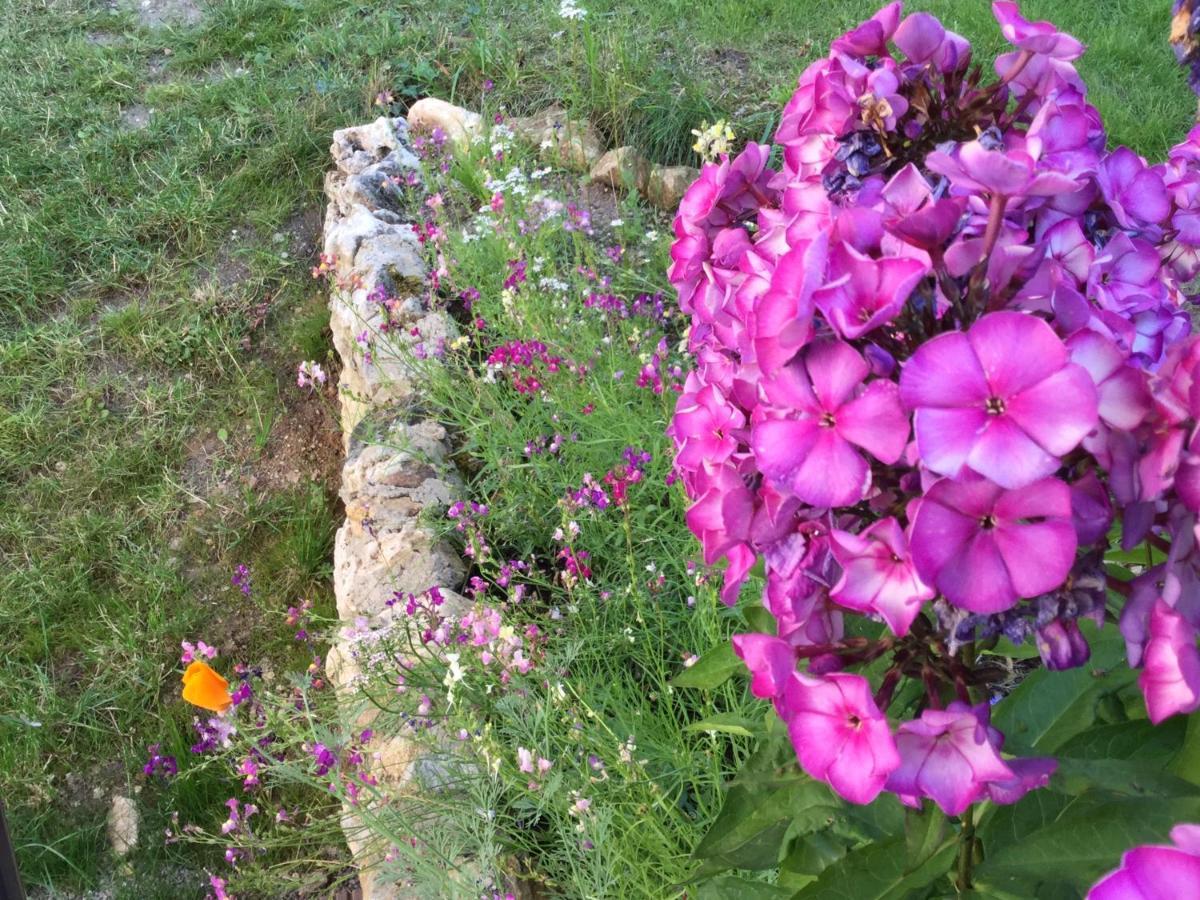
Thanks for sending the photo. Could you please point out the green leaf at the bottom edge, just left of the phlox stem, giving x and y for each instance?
(878, 872)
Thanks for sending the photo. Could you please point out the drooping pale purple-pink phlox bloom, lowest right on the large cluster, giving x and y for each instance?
(947, 757)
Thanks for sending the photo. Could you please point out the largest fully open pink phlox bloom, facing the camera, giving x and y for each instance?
(1003, 400)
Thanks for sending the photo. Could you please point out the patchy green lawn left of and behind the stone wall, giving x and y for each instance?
(160, 197)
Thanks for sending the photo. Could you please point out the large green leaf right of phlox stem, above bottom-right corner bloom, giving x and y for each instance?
(1079, 842)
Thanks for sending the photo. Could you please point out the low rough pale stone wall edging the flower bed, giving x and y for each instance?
(395, 461)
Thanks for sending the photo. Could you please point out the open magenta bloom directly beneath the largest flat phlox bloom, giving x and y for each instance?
(985, 548)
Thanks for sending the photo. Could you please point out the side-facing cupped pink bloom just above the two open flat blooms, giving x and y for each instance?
(863, 293)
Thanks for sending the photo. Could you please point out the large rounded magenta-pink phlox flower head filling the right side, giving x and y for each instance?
(939, 352)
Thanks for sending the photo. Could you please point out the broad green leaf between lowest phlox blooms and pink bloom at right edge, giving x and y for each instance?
(1049, 709)
